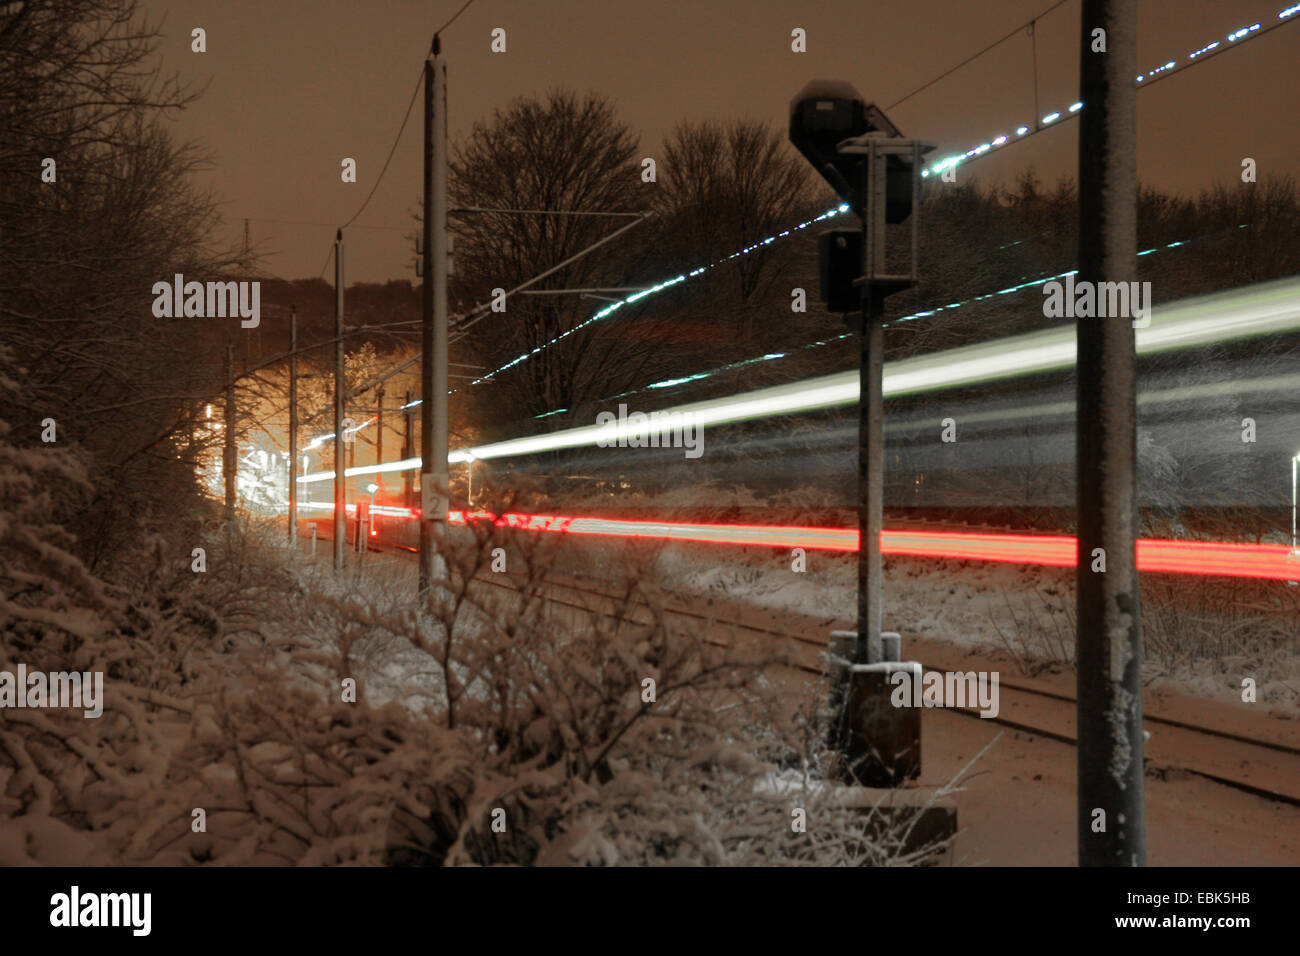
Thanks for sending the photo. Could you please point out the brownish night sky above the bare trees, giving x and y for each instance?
(293, 88)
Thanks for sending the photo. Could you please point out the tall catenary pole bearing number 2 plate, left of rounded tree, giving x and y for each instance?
(434, 410)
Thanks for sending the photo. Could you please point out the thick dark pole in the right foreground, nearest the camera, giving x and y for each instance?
(1110, 646)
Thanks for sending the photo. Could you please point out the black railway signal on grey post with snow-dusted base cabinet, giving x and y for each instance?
(856, 149)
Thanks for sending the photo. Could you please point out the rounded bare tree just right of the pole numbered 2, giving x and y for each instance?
(567, 154)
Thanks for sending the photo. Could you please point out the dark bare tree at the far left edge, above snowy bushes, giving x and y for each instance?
(98, 206)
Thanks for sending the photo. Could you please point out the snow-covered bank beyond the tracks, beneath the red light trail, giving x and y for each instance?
(1026, 612)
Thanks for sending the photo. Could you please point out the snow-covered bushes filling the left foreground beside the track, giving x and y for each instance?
(265, 711)
